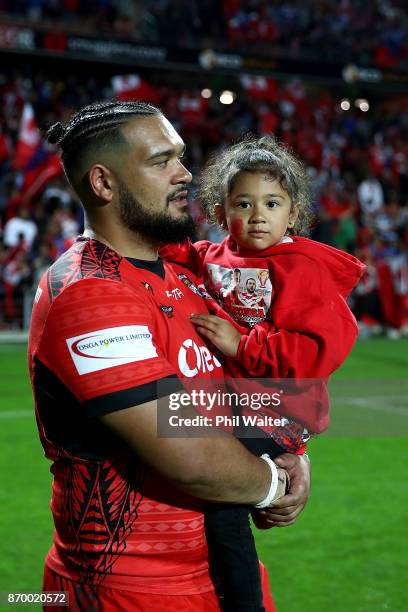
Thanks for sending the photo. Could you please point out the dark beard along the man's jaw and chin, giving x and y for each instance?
(160, 227)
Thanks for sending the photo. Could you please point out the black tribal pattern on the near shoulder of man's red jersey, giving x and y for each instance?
(97, 260)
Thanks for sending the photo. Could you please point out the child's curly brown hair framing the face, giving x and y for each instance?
(257, 154)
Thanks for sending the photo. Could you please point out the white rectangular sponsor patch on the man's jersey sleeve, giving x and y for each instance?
(106, 348)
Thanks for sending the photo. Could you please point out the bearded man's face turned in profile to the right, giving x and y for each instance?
(152, 181)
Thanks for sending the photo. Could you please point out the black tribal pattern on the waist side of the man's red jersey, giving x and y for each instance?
(100, 508)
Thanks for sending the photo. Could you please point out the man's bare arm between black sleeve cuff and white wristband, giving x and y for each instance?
(215, 467)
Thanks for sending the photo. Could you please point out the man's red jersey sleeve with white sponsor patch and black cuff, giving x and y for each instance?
(105, 345)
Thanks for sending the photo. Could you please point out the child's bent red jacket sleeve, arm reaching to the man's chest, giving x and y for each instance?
(310, 330)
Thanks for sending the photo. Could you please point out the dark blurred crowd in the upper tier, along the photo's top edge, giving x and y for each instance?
(367, 33)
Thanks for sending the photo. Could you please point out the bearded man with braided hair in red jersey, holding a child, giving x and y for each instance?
(110, 323)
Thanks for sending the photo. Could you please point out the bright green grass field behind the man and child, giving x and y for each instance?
(349, 550)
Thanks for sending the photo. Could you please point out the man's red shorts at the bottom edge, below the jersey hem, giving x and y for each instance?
(87, 598)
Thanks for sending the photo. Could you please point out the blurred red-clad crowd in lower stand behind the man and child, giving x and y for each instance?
(358, 163)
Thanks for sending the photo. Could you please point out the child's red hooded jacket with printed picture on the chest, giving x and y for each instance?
(299, 325)
